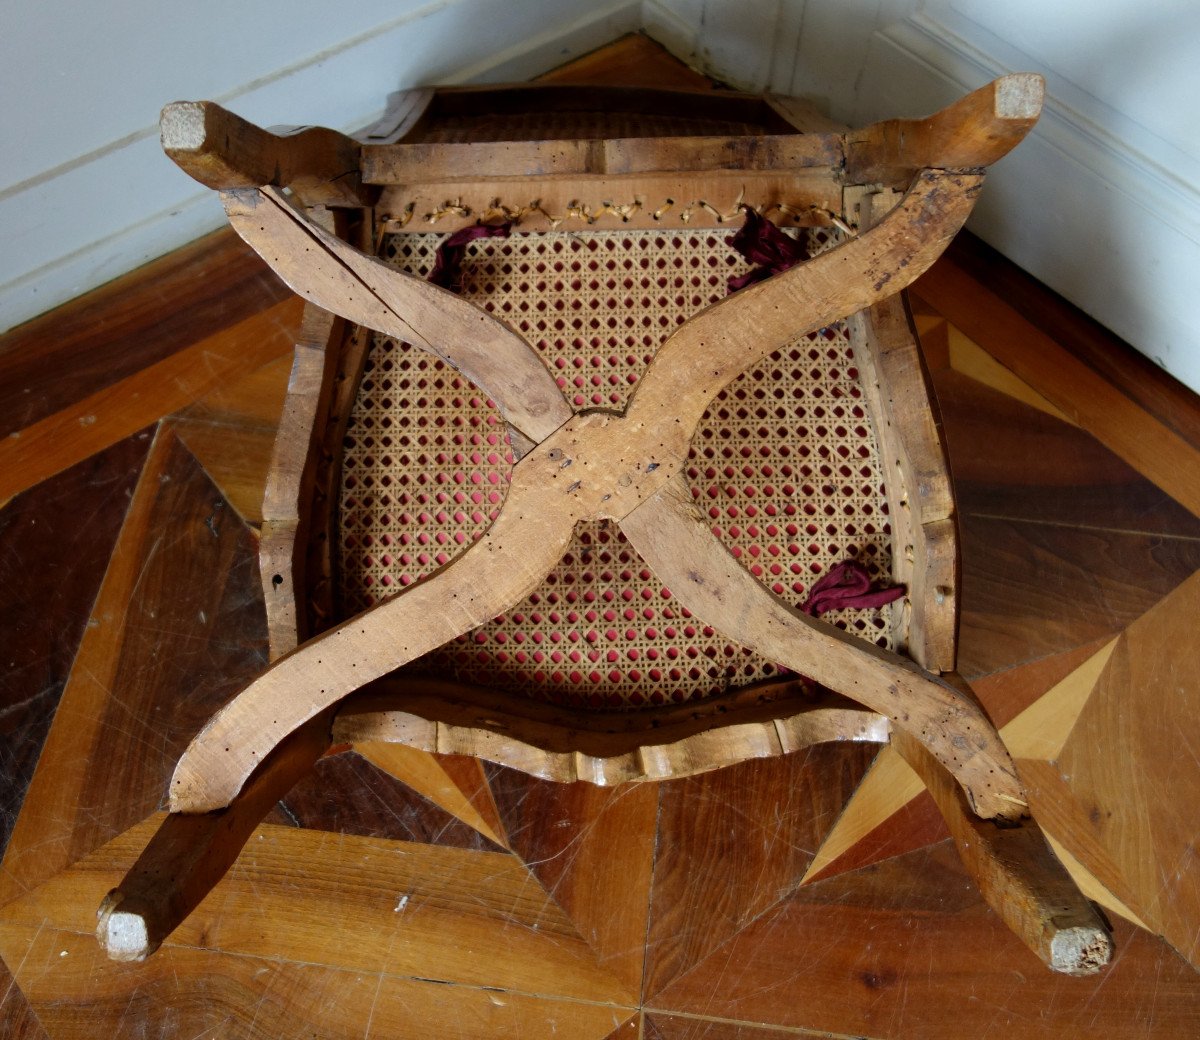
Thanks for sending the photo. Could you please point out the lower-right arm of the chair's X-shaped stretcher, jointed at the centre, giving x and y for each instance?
(679, 545)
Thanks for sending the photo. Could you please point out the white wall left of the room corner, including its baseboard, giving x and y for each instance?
(86, 193)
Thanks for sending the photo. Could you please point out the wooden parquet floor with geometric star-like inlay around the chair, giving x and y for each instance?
(398, 894)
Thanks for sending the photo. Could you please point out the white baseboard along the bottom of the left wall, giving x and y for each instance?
(106, 213)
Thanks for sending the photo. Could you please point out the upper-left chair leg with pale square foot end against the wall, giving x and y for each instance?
(223, 151)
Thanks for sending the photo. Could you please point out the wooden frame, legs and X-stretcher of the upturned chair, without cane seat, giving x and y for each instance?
(308, 201)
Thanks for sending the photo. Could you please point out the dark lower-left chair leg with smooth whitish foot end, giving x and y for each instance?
(190, 855)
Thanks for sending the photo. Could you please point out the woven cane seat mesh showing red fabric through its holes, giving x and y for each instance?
(785, 462)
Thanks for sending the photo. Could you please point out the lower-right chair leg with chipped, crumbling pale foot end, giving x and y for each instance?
(1019, 876)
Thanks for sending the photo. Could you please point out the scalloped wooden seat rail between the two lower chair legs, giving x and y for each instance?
(605, 749)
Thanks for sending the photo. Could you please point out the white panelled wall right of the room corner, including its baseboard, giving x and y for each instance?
(1102, 203)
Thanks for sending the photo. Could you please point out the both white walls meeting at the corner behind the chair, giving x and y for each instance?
(1102, 205)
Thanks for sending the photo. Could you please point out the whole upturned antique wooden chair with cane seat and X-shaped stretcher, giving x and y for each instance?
(569, 514)
